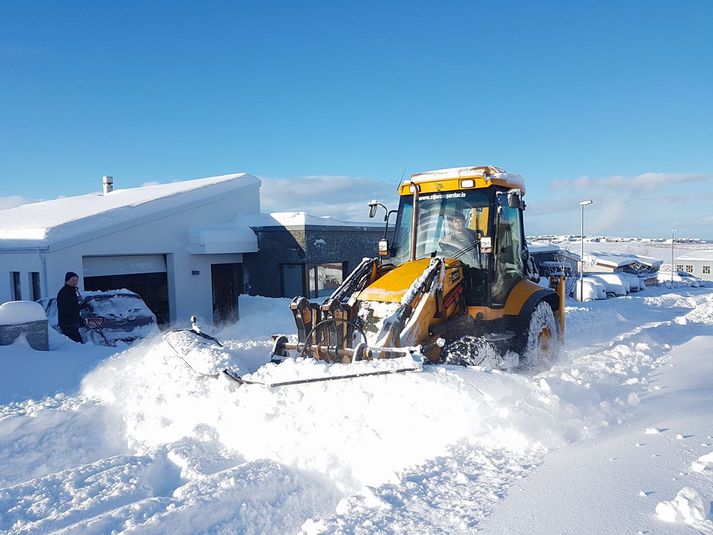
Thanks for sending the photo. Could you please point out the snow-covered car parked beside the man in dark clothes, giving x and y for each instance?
(109, 316)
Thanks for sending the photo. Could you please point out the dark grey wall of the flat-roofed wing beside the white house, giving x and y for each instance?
(307, 245)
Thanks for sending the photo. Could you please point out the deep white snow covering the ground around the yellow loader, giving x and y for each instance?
(616, 437)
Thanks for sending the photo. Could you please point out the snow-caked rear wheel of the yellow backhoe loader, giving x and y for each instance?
(541, 337)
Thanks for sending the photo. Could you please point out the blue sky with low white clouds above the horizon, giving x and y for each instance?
(330, 102)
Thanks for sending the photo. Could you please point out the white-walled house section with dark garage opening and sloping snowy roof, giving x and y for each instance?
(156, 239)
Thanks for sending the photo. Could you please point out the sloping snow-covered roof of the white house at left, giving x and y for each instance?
(48, 221)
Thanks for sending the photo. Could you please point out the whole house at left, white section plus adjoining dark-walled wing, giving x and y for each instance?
(185, 247)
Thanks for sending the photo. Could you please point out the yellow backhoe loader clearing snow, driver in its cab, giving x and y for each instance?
(455, 277)
